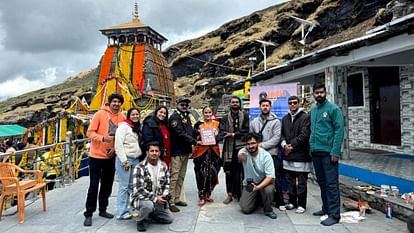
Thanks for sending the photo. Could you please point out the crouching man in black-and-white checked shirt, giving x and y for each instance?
(151, 180)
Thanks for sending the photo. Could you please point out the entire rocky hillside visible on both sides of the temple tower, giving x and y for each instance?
(222, 56)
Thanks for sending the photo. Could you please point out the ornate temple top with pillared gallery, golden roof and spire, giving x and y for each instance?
(133, 32)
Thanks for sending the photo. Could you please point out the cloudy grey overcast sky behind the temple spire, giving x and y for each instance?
(43, 42)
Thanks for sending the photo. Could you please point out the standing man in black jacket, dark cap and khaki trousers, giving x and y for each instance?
(181, 132)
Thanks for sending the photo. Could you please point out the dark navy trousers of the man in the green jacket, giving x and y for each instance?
(326, 173)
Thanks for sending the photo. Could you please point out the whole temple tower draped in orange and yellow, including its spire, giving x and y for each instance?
(134, 66)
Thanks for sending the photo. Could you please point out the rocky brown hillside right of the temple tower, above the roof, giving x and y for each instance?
(223, 55)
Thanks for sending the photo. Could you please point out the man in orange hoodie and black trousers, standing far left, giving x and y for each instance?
(101, 131)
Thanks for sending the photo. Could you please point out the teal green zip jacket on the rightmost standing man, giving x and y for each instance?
(327, 128)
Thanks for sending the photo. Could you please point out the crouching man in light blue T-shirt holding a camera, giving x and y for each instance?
(259, 173)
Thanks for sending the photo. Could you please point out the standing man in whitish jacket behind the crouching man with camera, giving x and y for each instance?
(268, 128)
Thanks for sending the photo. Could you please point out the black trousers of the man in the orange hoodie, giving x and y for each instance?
(101, 178)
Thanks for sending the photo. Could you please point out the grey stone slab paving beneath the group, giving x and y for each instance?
(66, 206)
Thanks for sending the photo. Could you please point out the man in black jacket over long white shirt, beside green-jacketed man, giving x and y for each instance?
(296, 162)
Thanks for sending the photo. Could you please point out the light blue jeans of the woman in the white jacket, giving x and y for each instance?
(125, 187)
